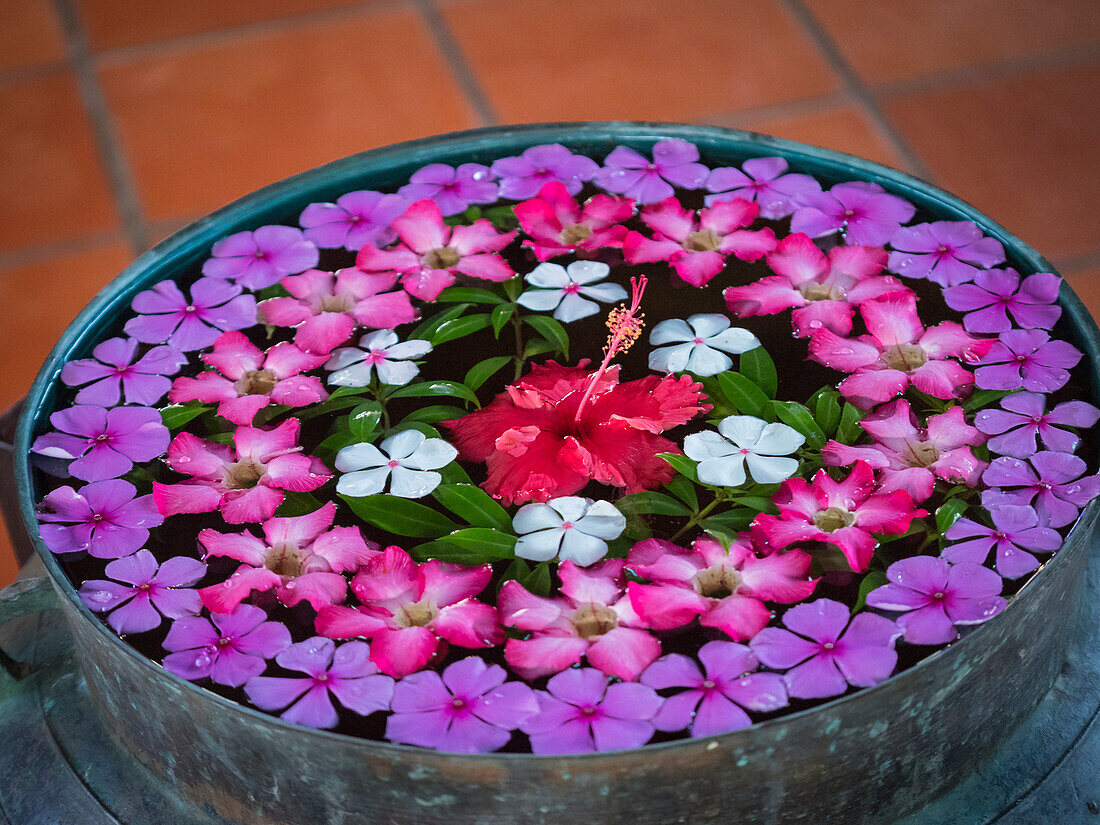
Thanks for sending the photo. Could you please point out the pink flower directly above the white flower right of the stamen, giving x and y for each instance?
(697, 246)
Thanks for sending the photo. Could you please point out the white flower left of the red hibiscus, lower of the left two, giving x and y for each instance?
(406, 459)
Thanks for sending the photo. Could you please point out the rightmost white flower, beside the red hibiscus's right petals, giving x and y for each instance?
(744, 441)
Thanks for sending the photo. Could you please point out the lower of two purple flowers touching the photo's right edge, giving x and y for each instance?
(1053, 480)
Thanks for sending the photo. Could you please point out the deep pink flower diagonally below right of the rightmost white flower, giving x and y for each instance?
(845, 514)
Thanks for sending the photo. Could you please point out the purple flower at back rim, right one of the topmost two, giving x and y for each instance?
(625, 172)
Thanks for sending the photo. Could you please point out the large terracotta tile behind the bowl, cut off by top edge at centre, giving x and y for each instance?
(644, 60)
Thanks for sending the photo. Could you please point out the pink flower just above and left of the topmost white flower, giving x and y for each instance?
(432, 255)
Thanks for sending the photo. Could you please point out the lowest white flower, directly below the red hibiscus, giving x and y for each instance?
(573, 529)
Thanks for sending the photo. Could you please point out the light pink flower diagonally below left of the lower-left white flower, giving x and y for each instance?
(301, 559)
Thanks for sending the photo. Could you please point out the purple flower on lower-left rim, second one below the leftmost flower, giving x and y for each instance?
(147, 592)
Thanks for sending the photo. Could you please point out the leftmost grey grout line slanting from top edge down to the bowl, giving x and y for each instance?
(119, 175)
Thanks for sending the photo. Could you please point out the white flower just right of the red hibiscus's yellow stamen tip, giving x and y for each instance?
(707, 338)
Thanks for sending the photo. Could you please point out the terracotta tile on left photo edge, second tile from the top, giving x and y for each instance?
(53, 186)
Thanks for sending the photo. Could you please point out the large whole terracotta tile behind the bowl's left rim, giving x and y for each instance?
(204, 127)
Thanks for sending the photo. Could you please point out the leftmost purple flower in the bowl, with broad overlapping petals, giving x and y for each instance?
(104, 443)
